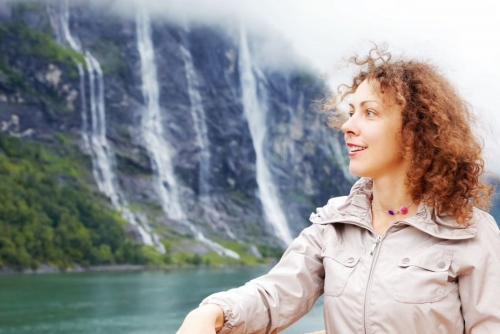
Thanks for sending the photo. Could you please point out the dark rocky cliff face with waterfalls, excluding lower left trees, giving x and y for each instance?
(186, 132)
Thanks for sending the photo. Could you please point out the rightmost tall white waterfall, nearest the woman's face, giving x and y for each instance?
(255, 112)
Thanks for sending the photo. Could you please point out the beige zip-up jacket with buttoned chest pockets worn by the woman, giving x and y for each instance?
(424, 275)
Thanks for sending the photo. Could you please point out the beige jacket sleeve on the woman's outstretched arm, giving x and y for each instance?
(272, 302)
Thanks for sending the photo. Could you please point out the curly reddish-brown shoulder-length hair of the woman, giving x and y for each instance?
(444, 155)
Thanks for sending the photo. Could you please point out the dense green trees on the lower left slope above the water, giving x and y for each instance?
(48, 214)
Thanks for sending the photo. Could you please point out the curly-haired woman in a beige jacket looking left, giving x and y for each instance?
(406, 251)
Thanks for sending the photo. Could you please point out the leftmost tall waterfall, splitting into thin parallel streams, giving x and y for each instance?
(94, 134)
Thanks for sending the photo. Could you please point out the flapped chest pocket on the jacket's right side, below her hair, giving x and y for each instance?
(421, 277)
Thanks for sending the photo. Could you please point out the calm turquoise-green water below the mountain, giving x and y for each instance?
(122, 302)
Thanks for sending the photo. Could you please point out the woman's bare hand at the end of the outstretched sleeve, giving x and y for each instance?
(207, 319)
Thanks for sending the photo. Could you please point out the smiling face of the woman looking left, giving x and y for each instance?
(372, 135)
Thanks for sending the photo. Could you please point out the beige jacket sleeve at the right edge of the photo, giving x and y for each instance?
(479, 279)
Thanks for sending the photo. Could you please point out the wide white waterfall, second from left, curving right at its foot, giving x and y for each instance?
(160, 151)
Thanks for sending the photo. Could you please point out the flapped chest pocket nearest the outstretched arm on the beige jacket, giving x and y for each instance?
(339, 264)
